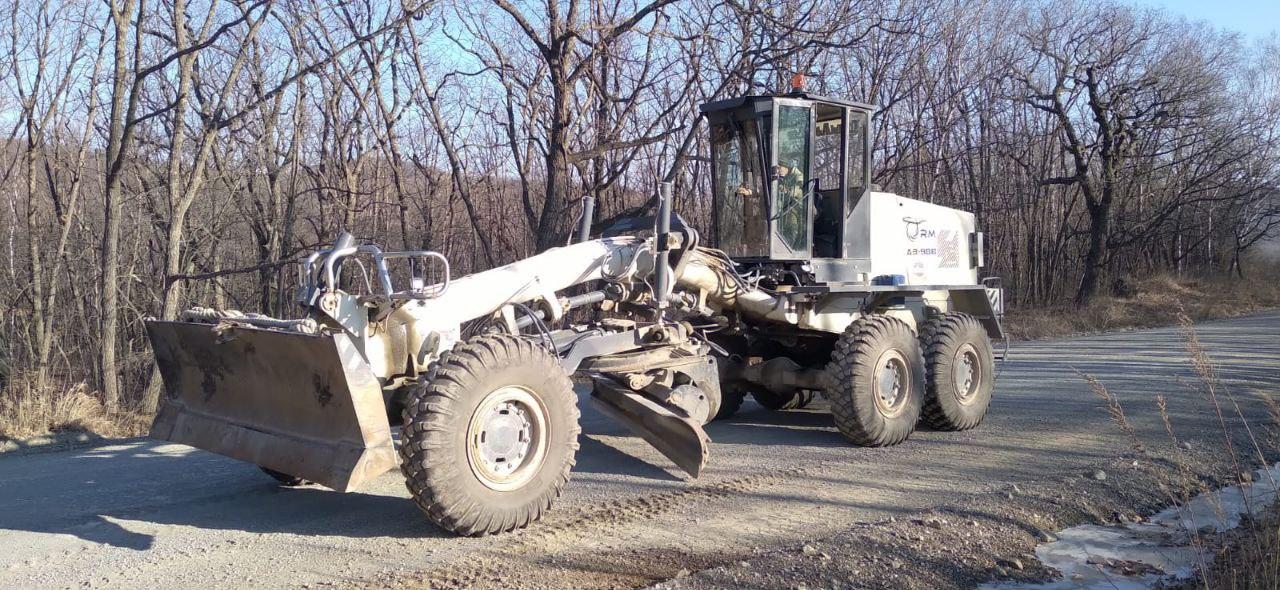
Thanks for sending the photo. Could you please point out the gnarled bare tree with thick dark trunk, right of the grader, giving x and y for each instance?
(1109, 79)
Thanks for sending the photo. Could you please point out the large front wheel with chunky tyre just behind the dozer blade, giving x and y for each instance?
(490, 441)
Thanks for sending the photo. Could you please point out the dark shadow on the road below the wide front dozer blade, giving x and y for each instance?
(125, 496)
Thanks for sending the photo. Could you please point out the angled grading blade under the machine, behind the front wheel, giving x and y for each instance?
(679, 438)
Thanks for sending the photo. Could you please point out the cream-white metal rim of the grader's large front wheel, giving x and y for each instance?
(508, 438)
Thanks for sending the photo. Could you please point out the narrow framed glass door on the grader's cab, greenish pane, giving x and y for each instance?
(790, 186)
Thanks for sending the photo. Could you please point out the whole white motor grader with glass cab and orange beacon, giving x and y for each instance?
(810, 283)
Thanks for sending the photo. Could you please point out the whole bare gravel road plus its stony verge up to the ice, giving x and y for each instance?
(785, 502)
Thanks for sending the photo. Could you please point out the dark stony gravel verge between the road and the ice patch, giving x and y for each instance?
(979, 538)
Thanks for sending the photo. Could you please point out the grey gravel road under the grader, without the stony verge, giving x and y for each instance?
(153, 515)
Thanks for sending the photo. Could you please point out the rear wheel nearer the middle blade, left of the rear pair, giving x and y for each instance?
(876, 382)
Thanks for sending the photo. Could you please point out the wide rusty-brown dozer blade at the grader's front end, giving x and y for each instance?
(304, 405)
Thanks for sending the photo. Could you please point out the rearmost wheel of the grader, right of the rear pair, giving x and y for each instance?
(962, 369)
